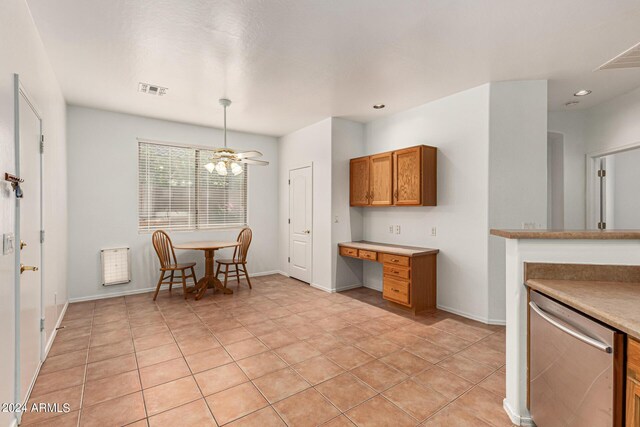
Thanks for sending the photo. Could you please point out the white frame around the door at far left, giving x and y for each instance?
(21, 93)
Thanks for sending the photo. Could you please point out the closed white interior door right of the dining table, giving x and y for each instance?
(300, 223)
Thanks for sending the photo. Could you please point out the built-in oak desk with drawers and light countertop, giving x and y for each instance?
(409, 273)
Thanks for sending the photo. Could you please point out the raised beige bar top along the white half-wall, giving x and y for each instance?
(568, 234)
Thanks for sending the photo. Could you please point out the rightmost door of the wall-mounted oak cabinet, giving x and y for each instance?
(407, 176)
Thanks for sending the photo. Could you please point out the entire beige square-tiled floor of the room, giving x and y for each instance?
(280, 354)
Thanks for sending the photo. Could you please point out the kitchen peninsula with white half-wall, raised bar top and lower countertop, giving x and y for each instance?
(570, 266)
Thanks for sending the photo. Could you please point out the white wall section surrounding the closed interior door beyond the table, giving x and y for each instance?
(311, 144)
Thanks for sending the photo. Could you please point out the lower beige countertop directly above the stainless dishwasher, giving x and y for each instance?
(615, 303)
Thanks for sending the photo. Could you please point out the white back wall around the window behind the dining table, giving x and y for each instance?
(103, 197)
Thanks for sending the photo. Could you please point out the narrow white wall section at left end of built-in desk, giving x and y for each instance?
(347, 142)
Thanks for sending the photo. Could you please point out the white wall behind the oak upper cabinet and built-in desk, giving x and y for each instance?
(459, 126)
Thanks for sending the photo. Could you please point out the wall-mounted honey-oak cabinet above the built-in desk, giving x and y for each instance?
(406, 177)
